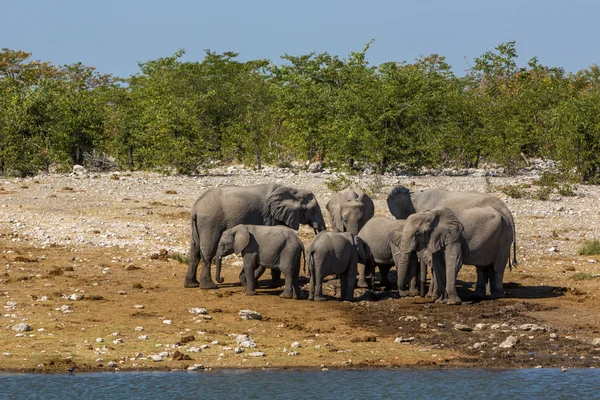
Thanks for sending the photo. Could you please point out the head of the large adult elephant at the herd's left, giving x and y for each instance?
(292, 207)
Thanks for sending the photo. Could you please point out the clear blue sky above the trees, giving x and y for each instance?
(114, 35)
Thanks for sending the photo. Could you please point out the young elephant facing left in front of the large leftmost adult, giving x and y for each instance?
(264, 246)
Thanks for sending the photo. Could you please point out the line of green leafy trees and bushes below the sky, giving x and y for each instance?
(182, 116)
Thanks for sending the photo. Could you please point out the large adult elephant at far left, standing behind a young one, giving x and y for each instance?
(222, 208)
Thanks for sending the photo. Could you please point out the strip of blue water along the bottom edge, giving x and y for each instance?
(276, 384)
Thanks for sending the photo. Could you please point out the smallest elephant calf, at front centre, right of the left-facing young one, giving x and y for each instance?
(335, 253)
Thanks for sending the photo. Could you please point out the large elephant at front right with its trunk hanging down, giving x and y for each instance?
(479, 236)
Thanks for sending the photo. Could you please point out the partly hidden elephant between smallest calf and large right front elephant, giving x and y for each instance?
(378, 233)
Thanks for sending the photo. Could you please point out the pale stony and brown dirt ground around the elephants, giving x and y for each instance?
(82, 267)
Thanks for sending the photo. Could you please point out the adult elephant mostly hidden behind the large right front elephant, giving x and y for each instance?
(402, 203)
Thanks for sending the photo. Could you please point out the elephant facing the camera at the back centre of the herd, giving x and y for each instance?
(349, 210)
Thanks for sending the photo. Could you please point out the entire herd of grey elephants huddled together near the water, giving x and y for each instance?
(434, 228)
